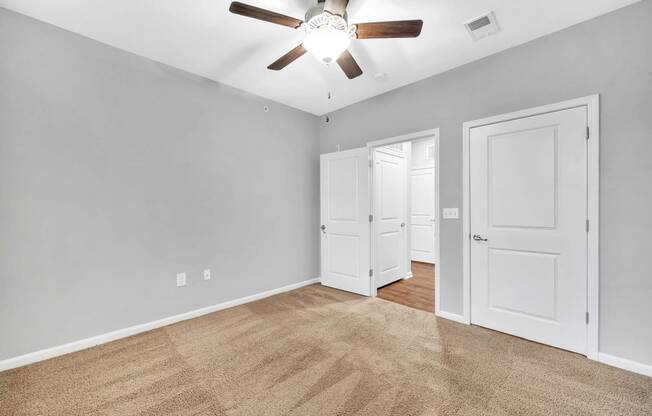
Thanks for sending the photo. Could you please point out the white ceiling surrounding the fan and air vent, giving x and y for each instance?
(202, 37)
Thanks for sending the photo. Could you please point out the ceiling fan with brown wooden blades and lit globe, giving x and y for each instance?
(328, 32)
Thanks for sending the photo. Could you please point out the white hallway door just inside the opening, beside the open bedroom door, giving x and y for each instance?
(390, 207)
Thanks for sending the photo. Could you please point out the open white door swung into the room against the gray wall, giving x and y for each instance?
(345, 238)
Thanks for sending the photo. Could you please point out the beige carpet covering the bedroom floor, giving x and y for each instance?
(318, 351)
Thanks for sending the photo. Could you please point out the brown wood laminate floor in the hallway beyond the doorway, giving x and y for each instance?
(417, 292)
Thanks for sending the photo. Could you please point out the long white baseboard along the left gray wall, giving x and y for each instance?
(83, 344)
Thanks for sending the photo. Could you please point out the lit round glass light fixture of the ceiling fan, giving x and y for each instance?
(327, 36)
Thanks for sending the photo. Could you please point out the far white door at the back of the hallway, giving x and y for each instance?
(423, 216)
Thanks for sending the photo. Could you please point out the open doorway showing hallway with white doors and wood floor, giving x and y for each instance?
(405, 219)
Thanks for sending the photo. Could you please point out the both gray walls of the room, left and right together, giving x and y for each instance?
(117, 172)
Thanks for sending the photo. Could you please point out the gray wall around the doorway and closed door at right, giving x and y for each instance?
(612, 56)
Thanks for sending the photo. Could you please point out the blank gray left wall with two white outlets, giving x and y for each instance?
(116, 172)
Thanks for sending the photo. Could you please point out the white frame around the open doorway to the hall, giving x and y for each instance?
(434, 133)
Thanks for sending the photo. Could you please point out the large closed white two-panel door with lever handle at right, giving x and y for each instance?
(528, 227)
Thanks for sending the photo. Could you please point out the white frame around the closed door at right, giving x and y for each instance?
(592, 103)
